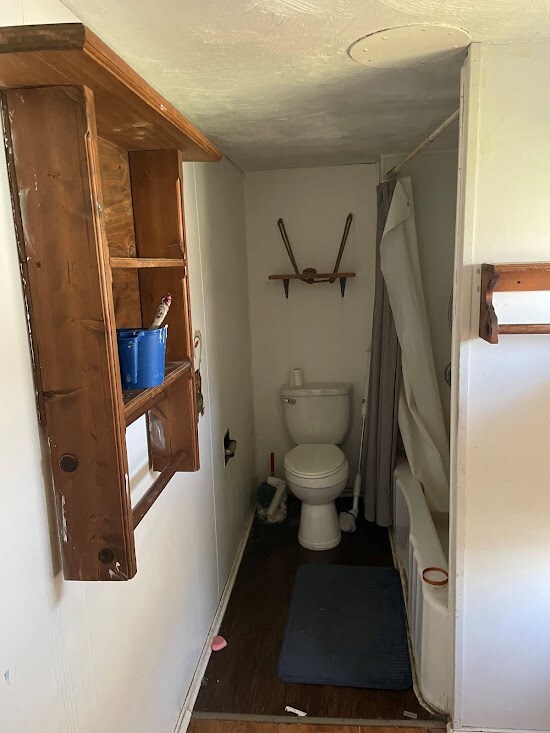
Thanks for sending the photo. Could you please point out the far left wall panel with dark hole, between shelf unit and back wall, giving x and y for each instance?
(220, 228)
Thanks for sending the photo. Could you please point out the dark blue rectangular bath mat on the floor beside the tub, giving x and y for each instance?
(346, 627)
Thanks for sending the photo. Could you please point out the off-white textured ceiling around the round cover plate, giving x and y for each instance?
(271, 83)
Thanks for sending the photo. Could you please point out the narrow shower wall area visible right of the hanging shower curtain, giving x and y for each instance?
(434, 177)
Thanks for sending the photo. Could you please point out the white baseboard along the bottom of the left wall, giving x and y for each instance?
(187, 709)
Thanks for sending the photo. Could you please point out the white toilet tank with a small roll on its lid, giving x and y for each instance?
(318, 412)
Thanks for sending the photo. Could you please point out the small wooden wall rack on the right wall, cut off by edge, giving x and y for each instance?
(508, 277)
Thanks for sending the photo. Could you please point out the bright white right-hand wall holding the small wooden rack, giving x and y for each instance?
(501, 419)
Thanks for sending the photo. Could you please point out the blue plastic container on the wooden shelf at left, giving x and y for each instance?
(142, 356)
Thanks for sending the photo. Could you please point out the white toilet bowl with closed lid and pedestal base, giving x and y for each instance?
(317, 474)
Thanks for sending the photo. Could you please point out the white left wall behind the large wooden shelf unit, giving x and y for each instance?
(104, 657)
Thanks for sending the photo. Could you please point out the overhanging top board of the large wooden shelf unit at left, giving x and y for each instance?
(129, 112)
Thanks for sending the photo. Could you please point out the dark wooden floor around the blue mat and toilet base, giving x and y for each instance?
(242, 678)
